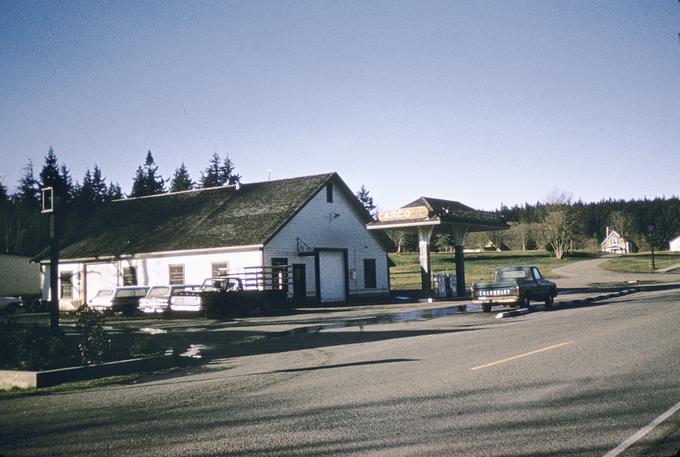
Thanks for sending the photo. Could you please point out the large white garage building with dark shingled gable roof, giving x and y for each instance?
(313, 225)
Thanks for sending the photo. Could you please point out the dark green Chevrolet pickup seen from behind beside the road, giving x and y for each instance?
(517, 285)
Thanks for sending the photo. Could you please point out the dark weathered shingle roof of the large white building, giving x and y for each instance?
(228, 216)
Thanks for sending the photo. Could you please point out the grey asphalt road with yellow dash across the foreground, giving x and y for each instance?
(576, 381)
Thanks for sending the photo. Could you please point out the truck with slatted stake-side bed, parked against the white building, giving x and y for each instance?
(227, 295)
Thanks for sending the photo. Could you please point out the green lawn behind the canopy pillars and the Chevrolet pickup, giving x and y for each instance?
(478, 266)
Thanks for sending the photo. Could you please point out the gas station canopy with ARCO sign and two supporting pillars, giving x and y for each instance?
(424, 214)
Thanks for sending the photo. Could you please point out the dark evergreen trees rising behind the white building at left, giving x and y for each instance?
(25, 231)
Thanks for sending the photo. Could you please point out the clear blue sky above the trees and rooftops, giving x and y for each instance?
(478, 101)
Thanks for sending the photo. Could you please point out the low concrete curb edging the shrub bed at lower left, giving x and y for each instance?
(47, 378)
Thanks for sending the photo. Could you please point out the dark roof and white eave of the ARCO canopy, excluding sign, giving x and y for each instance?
(448, 212)
